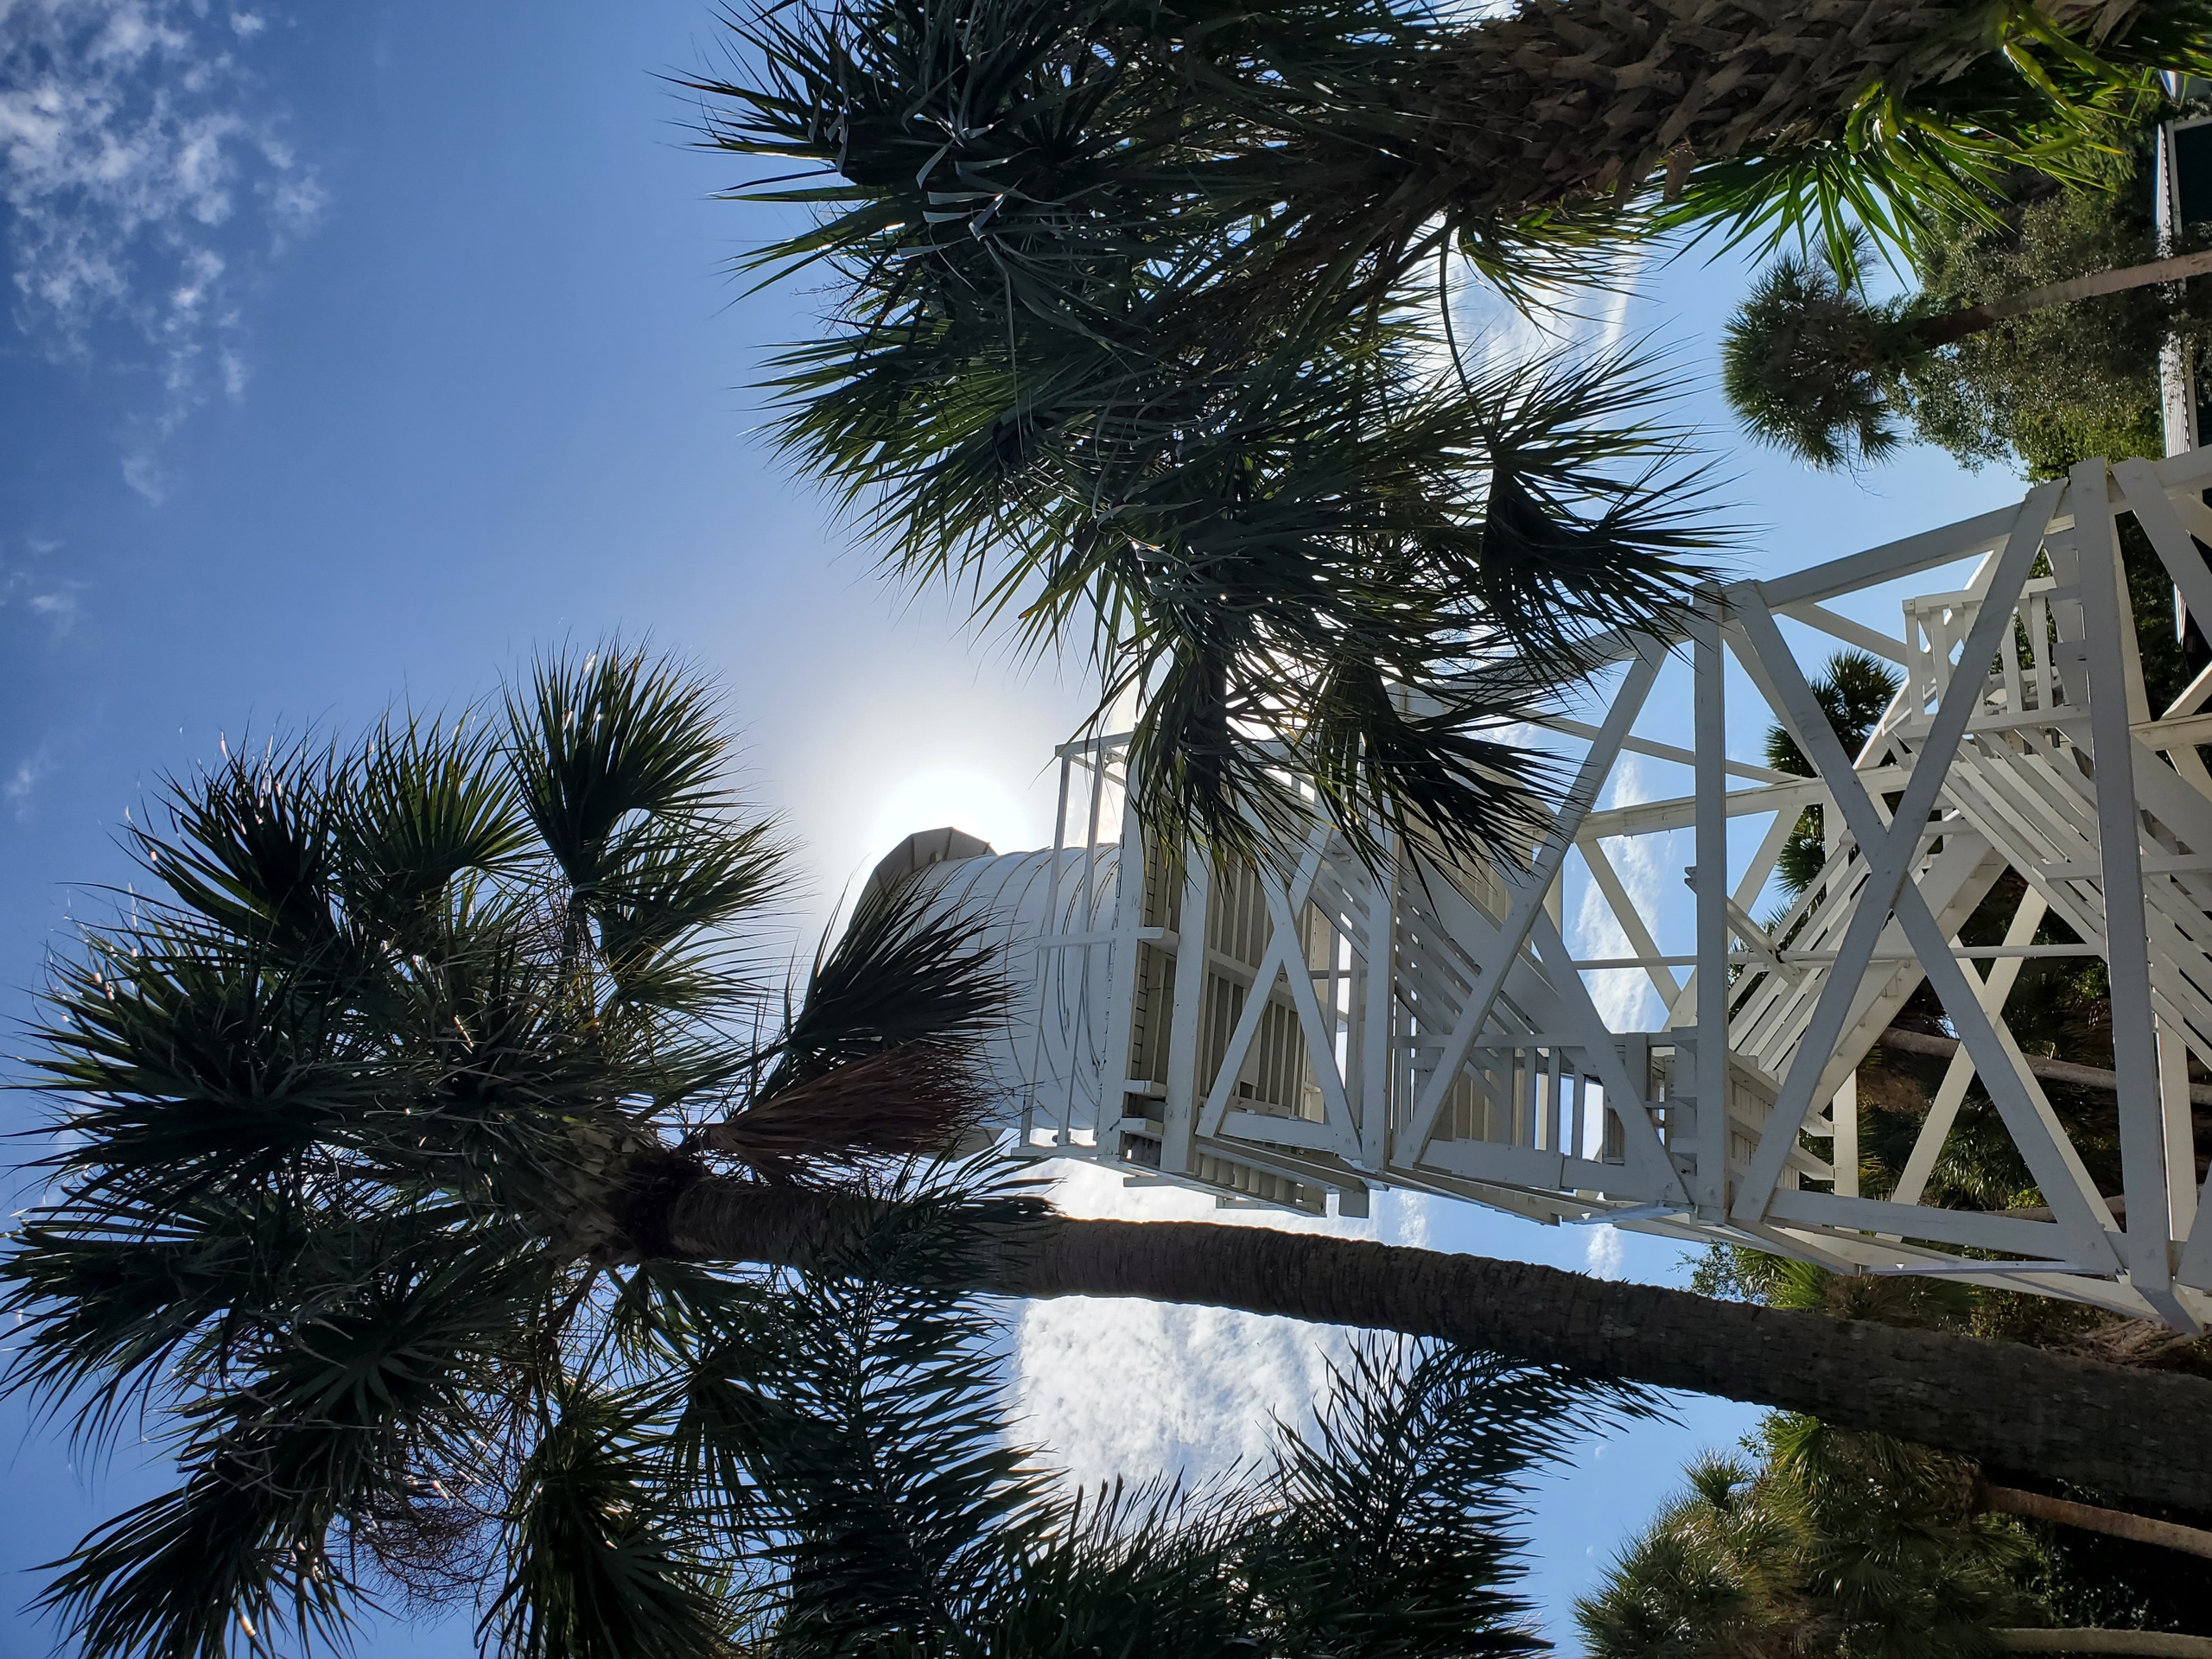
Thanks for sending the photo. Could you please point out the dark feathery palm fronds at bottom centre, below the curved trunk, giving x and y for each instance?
(912, 1525)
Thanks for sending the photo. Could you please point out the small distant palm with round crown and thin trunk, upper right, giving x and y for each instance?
(1815, 368)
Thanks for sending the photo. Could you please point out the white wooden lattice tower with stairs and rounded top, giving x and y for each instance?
(1322, 1027)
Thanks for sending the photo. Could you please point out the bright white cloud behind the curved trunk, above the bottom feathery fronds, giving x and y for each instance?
(1138, 1390)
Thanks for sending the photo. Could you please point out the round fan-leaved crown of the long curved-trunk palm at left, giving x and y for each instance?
(373, 1107)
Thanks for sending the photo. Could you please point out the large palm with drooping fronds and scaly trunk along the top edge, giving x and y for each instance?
(1129, 326)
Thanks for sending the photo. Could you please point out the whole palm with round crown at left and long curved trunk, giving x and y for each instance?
(424, 1138)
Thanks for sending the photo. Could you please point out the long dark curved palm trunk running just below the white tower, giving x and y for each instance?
(2138, 1437)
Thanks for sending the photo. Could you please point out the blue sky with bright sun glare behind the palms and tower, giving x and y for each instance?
(357, 351)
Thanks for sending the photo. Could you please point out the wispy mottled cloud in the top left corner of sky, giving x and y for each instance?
(145, 180)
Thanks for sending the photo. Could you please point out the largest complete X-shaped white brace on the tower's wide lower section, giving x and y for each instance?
(1890, 853)
